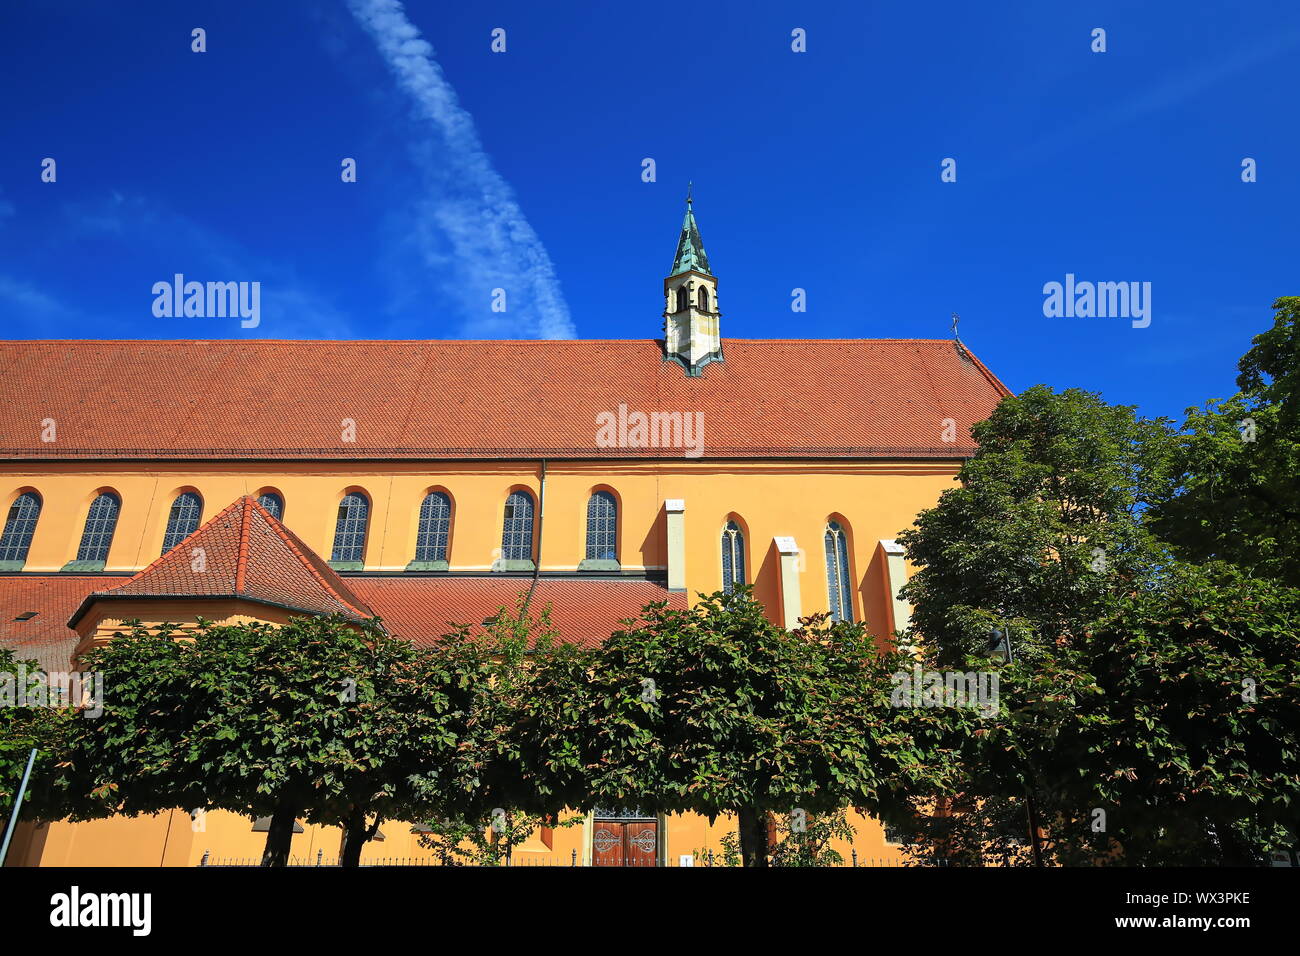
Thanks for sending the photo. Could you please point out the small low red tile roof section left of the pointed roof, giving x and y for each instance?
(45, 638)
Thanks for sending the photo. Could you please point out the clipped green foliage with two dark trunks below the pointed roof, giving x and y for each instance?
(322, 719)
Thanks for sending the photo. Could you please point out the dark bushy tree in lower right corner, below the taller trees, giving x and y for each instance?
(1167, 733)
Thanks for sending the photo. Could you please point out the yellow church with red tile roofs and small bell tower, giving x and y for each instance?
(431, 483)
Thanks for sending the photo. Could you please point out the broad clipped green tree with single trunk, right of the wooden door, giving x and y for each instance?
(716, 711)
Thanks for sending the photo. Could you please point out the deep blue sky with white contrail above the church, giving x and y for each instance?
(816, 171)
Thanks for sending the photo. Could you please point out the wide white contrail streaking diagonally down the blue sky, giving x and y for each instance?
(492, 241)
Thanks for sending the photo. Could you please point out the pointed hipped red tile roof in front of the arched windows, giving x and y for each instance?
(246, 553)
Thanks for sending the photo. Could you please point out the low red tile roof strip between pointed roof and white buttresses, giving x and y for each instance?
(583, 611)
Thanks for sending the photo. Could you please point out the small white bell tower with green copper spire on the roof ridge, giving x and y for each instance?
(692, 335)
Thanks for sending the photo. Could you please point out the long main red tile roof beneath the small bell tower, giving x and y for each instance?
(434, 400)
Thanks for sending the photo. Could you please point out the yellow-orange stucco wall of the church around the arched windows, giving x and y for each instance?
(872, 501)
